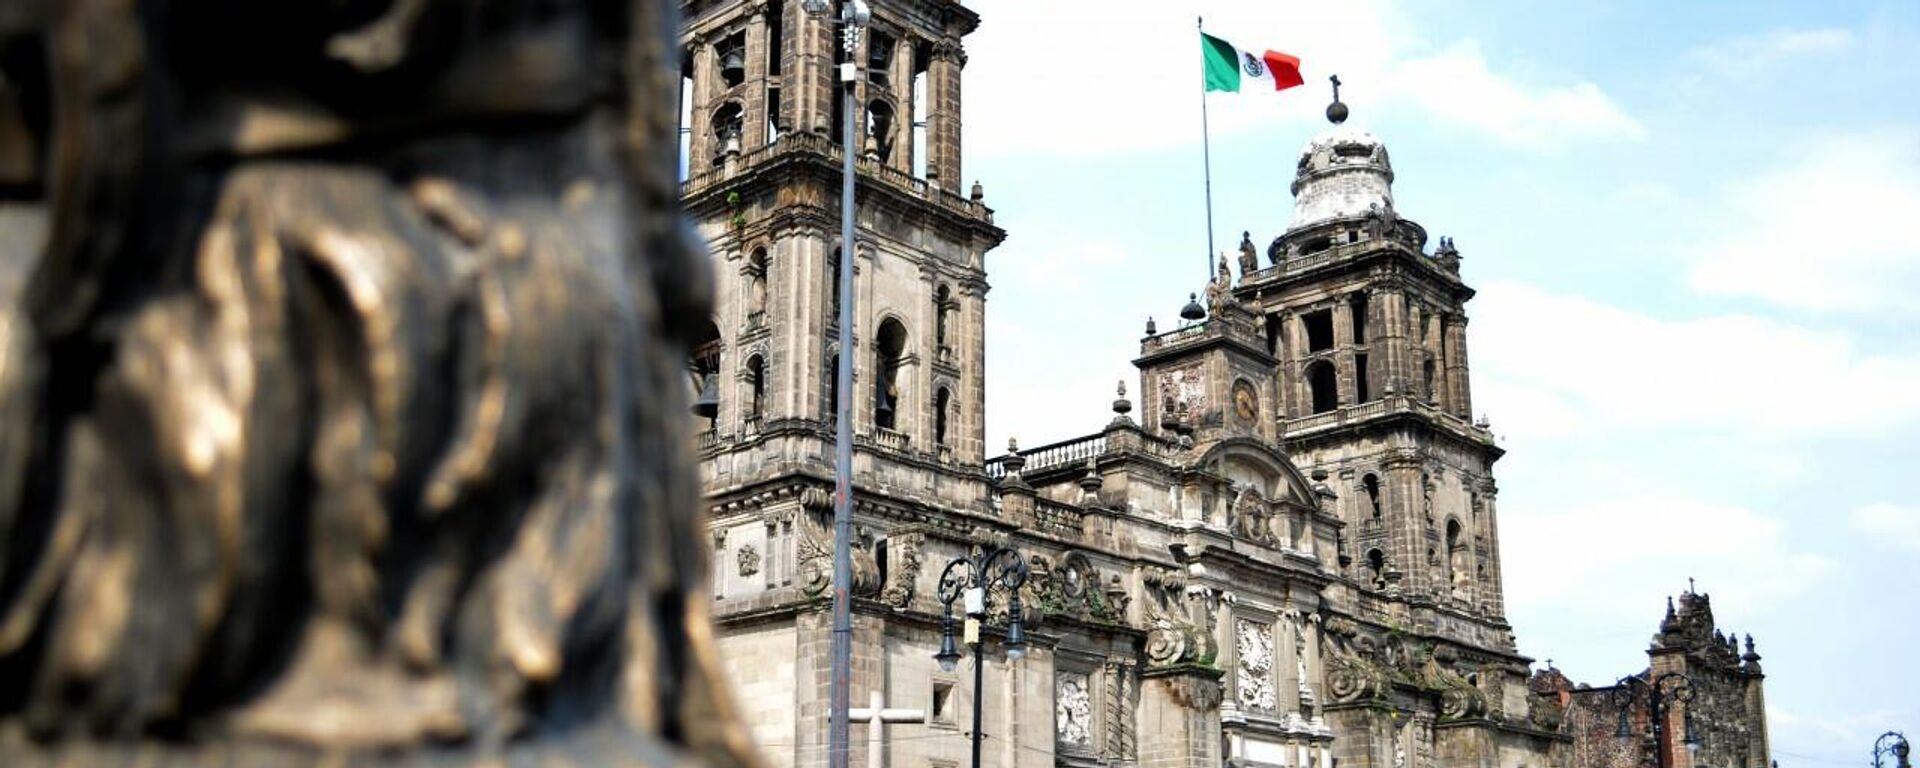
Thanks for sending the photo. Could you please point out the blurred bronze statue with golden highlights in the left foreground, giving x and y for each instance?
(343, 400)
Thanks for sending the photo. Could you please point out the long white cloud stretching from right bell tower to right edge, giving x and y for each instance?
(1558, 366)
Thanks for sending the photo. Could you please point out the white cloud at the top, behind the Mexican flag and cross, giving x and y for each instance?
(1136, 80)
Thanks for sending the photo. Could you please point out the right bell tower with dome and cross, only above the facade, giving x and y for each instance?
(1370, 331)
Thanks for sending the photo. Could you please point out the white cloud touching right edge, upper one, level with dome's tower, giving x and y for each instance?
(1827, 231)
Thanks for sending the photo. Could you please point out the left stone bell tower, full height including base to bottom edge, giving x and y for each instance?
(763, 103)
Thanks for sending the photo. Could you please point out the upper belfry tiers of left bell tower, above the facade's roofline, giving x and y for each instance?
(763, 108)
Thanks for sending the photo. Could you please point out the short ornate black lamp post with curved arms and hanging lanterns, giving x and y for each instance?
(974, 579)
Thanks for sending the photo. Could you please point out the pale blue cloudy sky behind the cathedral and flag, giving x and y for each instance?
(1696, 233)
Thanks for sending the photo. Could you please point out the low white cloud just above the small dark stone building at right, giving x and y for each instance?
(1639, 546)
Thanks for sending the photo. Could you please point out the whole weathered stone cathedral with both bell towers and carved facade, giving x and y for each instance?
(1280, 552)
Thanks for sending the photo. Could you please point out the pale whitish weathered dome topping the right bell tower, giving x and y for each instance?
(1343, 174)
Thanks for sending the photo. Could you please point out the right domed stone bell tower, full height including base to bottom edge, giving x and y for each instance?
(1368, 331)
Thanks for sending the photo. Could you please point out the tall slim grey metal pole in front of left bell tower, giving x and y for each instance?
(853, 18)
